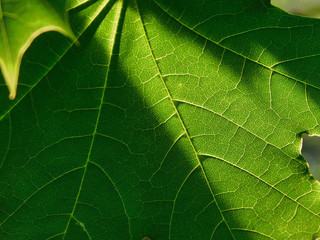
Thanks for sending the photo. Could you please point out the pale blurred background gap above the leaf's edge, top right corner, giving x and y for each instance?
(309, 8)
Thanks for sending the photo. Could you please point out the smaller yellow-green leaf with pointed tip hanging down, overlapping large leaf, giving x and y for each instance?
(20, 23)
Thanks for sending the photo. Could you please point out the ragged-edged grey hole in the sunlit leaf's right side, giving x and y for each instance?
(311, 151)
